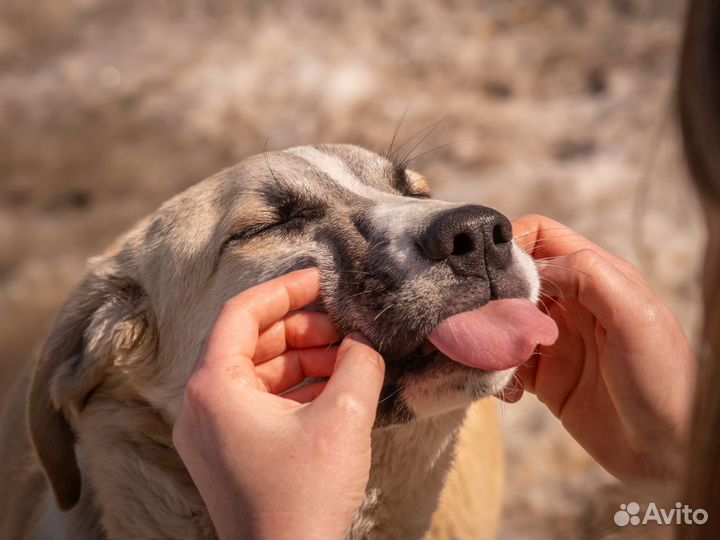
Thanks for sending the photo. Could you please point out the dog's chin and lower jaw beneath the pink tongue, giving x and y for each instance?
(431, 385)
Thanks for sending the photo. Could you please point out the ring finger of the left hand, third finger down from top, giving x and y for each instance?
(294, 366)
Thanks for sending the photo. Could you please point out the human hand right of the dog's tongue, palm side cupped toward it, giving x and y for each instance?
(621, 375)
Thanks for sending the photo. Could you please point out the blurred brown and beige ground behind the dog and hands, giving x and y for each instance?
(560, 107)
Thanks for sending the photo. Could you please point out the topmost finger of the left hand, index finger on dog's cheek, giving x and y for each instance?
(235, 333)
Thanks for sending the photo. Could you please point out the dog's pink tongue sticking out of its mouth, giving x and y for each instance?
(500, 335)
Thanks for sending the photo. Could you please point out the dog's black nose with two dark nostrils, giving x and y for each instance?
(473, 239)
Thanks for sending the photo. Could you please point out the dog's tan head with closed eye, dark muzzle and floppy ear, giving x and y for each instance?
(394, 264)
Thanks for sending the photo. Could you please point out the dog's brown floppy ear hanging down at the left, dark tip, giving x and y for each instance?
(106, 319)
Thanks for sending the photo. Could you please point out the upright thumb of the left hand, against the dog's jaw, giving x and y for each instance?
(356, 380)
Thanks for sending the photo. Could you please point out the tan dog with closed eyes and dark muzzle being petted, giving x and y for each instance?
(86, 440)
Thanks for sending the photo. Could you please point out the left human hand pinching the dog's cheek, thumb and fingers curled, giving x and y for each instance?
(294, 465)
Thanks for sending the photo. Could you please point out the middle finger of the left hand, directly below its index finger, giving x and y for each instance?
(298, 330)
